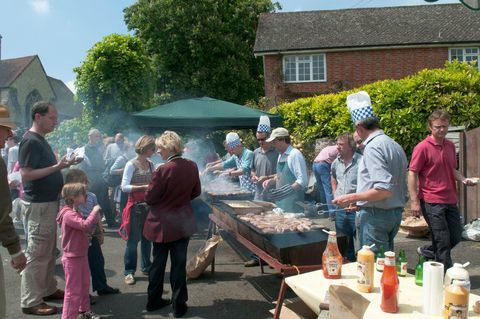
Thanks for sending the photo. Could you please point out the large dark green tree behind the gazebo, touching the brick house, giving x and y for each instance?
(202, 47)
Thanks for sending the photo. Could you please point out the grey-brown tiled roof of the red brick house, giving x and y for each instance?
(369, 27)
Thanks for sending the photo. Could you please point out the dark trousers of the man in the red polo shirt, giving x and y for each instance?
(444, 223)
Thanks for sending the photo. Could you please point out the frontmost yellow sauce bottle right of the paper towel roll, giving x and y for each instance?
(456, 300)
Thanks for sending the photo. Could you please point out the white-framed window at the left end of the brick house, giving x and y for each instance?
(304, 68)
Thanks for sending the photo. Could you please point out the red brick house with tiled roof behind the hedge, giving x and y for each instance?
(315, 52)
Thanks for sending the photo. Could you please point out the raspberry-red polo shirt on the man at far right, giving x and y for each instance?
(435, 165)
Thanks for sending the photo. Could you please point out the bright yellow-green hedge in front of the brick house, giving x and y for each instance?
(402, 105)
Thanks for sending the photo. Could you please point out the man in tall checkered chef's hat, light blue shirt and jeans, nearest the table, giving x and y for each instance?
(381, 183)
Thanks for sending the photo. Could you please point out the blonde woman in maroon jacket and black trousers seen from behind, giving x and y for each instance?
(170, 222)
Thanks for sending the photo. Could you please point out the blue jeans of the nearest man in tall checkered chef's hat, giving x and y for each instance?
(379, 226)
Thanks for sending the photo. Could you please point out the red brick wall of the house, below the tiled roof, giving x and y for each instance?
(347, 70)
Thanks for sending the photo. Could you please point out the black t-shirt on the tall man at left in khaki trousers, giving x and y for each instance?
(34, 152)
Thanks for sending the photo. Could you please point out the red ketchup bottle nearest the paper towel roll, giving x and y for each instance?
(389, 284)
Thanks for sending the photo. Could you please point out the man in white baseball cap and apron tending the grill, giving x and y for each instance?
(291, 178)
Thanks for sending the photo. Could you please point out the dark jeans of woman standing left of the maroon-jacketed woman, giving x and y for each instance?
(136, 235)
